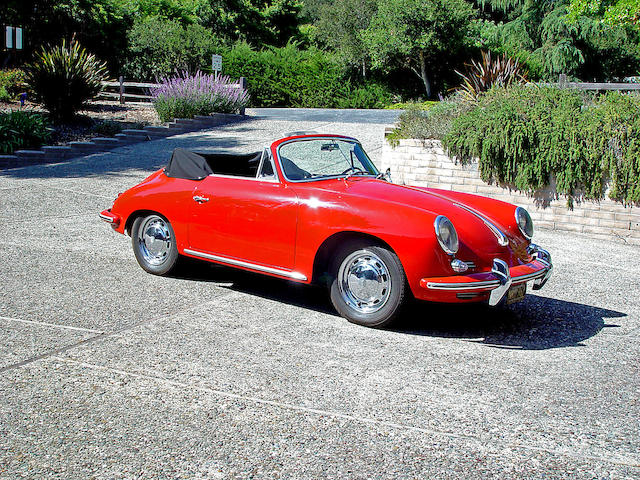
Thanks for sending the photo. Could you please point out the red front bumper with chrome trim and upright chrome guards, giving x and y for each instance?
(500, 279)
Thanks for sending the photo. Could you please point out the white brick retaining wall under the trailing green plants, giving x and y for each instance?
(414, 162)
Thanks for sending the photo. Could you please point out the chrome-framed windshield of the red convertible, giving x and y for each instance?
(324, 157)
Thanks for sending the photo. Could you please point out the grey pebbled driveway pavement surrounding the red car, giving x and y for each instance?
(108, 372)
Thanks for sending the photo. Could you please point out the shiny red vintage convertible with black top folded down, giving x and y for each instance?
(314, 208)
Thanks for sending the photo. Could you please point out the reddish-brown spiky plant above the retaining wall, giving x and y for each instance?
(480, 76)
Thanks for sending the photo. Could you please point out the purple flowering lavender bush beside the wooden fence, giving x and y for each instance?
(185, 96)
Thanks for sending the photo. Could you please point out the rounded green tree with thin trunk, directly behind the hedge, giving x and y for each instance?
(427, 36)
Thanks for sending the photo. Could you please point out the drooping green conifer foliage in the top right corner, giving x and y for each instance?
(539, 33)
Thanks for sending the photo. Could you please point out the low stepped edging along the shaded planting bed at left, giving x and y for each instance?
(59, 153)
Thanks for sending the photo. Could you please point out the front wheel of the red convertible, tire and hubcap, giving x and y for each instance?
(368, 284)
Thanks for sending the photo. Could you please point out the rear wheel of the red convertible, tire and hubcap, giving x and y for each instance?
(154, 244)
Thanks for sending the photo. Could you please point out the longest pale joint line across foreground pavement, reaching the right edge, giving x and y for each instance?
(627, 462)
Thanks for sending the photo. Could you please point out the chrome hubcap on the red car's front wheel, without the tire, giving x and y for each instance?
(365, 283)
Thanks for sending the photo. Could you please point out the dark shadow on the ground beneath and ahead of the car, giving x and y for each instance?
(536, 323)
